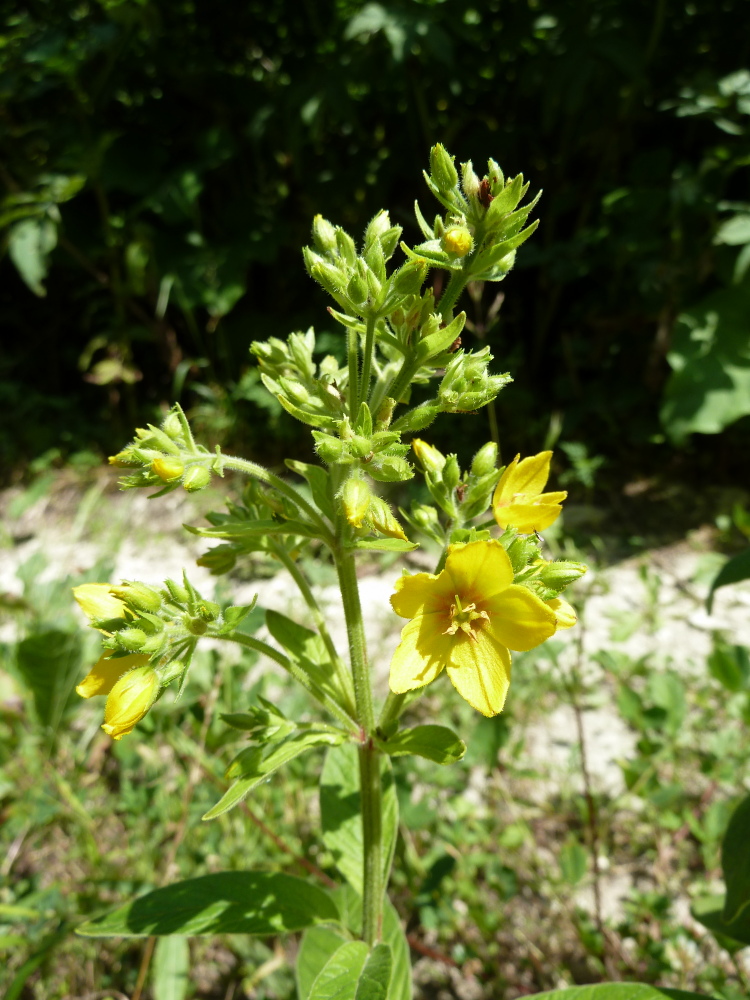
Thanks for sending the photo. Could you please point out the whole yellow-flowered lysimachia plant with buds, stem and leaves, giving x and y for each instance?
(493, 590)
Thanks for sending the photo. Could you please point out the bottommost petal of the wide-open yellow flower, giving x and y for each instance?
(480, 671)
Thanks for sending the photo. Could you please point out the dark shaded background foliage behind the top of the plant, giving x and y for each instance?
(162, 162)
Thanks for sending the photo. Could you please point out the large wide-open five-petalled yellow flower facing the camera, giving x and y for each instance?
(466, 619)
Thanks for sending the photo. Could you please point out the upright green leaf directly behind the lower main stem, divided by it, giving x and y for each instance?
(341, 812)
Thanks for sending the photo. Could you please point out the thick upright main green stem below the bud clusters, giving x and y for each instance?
(371, 795)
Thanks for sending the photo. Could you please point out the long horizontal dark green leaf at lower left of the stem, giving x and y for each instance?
(224, 903)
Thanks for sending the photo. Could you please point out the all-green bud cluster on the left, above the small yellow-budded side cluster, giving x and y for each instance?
(311, 393)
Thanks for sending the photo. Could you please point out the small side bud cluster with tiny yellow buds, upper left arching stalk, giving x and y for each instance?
(166, 457)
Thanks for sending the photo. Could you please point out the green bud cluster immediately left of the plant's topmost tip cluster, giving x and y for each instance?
(359, 283)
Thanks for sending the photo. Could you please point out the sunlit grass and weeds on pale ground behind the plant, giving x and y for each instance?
(515, 871)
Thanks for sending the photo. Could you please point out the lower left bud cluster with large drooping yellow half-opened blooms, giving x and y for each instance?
(150, 635)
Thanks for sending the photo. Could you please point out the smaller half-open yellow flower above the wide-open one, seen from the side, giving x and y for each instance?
(519, 502)
